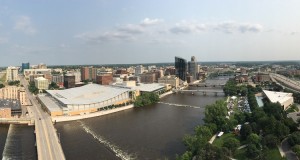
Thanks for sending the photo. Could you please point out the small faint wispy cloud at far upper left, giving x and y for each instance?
(24, 24)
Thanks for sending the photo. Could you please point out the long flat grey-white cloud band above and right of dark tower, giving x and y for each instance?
(225, 27)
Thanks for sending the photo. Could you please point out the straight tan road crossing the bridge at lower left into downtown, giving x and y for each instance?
(48, 145)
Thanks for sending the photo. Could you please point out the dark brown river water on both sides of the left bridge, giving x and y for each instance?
(150, 132)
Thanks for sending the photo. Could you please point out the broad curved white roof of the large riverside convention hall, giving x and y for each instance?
(88, 94)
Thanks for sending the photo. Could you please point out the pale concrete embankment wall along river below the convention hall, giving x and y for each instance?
(96, 114)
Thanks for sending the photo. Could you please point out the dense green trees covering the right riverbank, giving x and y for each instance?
(260, 134)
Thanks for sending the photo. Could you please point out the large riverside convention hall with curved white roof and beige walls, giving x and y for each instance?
(83, 100)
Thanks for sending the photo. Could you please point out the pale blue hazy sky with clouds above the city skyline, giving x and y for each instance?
(66, 32)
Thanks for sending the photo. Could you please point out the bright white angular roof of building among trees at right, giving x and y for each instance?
(280, 97)
